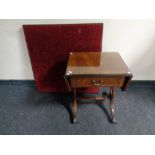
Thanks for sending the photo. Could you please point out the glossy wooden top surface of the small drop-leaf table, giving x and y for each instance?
(97, 63)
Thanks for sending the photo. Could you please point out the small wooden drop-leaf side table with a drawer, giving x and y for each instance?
(96, 69)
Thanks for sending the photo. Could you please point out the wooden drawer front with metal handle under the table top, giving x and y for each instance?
(78, 82)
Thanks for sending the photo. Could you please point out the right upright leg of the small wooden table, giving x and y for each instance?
(112, 105)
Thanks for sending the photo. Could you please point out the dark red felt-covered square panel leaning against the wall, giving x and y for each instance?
(49, 47)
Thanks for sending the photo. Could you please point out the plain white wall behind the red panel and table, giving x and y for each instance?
(134, 39)
